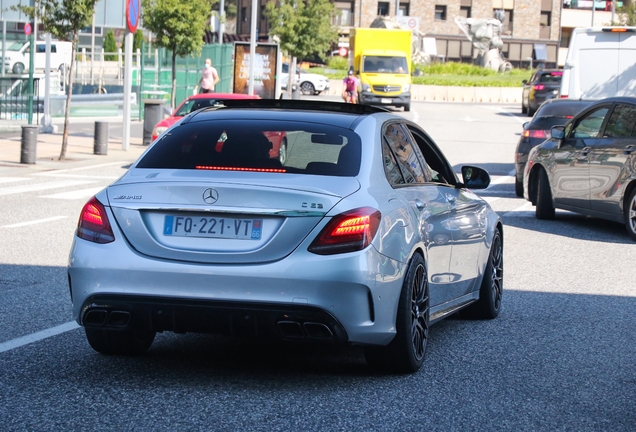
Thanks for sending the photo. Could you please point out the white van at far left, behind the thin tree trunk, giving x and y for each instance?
(17, 56)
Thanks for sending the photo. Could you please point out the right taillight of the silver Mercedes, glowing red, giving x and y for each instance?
(347, 232)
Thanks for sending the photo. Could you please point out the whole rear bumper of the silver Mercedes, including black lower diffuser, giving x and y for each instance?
(304, 296)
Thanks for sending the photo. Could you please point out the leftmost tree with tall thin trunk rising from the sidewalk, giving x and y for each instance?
(63, 19)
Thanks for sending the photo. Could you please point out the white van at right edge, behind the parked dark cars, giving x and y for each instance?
(601, 62)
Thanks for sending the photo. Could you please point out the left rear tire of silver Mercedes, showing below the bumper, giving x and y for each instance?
(120, 342)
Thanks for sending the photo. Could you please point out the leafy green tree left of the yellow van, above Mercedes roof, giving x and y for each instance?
(303, 27)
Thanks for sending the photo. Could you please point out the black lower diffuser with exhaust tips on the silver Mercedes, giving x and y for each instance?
(289, 322)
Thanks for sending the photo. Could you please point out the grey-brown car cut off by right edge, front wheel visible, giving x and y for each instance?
(588, 165)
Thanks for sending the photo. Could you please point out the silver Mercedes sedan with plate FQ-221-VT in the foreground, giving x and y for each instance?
(349, 241)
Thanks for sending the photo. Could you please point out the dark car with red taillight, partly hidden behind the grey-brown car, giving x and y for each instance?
(552, 112)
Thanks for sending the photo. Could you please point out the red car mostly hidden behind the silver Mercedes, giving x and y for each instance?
(204, 100)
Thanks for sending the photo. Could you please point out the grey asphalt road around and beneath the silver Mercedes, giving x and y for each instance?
(560, 357)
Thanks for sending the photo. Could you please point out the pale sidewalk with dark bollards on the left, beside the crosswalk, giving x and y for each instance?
(80, 149)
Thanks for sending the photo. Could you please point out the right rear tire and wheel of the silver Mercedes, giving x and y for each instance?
(405, 353)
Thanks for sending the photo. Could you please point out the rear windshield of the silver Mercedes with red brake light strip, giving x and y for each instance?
(255, 145)
